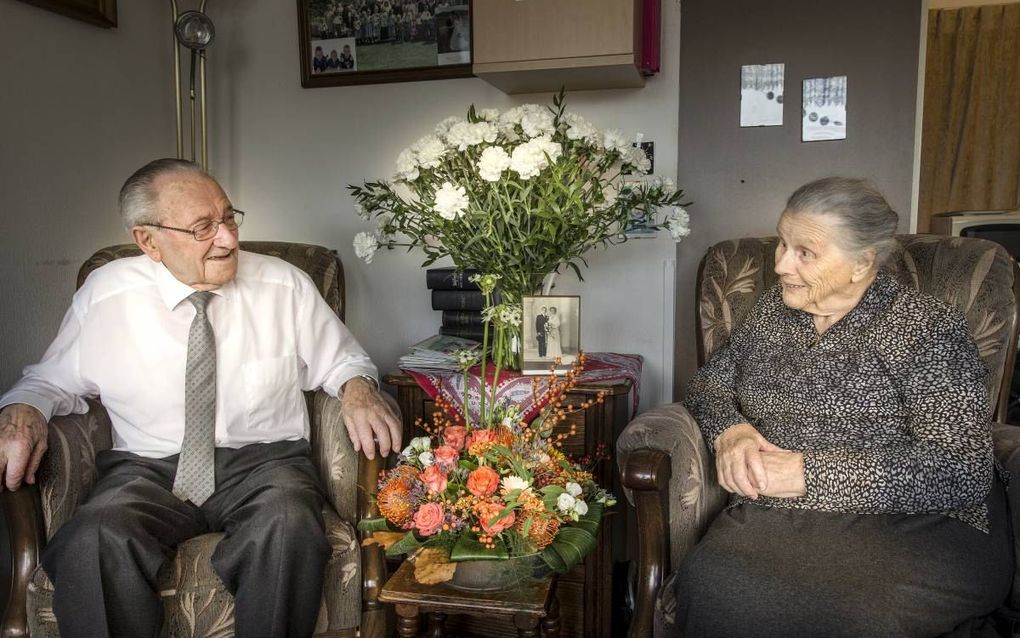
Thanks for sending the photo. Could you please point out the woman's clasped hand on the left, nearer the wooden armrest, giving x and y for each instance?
(739, 461)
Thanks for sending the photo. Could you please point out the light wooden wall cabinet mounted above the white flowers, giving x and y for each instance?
(525, 46)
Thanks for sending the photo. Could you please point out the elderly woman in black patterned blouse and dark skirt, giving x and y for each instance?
(850, 422)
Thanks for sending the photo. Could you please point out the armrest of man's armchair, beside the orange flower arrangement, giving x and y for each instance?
(351, 483)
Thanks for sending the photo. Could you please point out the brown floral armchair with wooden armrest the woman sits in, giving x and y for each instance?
(669, 473)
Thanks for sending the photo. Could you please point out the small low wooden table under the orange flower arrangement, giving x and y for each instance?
(533, 607)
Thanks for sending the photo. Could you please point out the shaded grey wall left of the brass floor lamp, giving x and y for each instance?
(81, 109)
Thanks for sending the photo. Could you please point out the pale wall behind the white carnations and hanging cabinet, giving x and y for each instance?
(286, 156)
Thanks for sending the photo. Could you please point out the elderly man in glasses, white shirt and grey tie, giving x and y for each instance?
(200, 353)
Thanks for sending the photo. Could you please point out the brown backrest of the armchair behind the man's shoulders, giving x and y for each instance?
(323, 265)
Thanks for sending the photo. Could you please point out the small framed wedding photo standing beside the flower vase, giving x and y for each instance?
(552, 329)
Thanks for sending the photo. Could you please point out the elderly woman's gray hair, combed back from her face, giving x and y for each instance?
(859, 208)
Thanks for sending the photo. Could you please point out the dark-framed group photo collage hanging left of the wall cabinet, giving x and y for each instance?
(356, 42)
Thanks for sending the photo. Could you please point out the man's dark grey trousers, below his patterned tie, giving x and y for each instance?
(105, 562)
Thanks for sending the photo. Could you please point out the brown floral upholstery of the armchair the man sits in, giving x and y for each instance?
(196, 603)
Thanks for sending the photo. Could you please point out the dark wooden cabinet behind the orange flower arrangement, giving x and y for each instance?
(588, 606)
